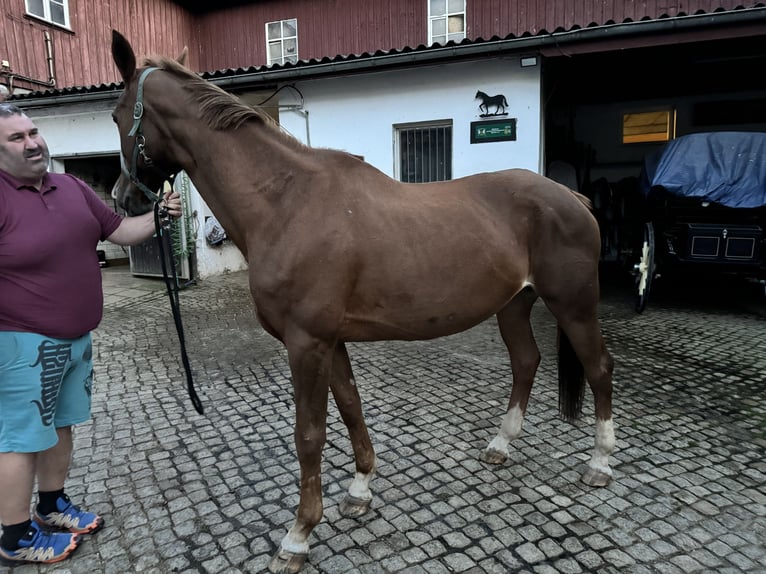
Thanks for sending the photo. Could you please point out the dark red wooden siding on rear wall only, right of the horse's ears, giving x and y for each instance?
(235, 37)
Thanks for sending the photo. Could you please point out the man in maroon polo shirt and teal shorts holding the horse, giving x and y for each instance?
(50, 301)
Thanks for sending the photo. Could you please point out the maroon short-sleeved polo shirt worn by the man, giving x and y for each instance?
(50, 279)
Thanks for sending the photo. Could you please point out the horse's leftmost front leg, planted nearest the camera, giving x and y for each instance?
(310, 365)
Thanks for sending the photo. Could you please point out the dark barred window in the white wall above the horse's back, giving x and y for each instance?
(423, 152)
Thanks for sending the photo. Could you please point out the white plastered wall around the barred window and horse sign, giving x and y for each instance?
(357, 114)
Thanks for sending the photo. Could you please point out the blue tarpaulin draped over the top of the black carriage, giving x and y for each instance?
(728, 168)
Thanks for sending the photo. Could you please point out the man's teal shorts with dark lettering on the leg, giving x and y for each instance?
(45, 384)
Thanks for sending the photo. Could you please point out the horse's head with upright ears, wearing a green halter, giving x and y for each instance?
(143, 141)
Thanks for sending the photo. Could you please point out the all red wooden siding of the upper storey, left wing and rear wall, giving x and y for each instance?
(235, 37)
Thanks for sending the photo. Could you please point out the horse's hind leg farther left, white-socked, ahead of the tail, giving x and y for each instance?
(516, 330)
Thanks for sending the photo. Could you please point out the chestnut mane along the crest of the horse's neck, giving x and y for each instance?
(219, 109)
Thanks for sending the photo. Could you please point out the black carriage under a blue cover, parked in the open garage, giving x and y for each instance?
(704, 210)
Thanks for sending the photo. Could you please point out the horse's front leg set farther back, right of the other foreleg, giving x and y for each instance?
(344, 390)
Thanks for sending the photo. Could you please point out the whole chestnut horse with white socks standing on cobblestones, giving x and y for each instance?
(340, 252)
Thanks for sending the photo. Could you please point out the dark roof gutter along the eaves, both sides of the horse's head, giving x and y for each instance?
(540, 43)
